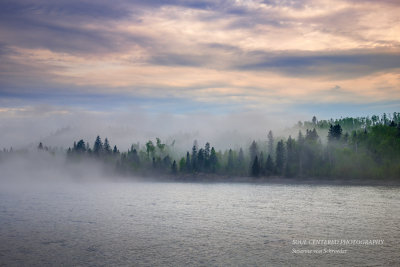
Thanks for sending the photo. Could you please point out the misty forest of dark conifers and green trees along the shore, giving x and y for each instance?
(360, 148)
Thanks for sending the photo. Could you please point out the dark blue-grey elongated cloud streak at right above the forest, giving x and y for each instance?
(349, 64)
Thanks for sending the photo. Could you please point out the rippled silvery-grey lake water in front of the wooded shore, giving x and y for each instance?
(181, 224)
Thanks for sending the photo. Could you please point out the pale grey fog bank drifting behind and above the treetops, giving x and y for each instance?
(57, 127)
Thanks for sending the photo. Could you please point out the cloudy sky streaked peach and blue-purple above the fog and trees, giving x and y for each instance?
(291, 59)
